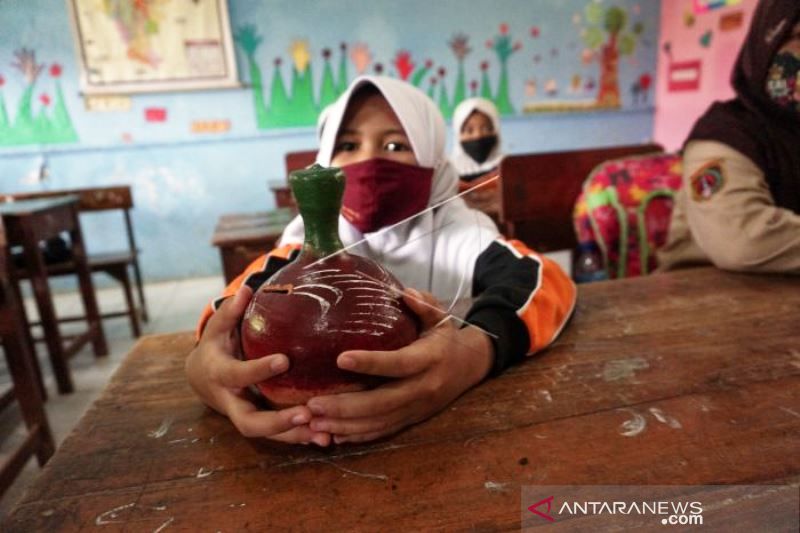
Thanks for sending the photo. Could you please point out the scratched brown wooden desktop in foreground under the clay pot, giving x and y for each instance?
(686, 378)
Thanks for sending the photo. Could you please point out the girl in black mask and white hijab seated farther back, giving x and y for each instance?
(476, 152)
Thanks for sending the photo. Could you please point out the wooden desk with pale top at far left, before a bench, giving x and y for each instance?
(29, 222)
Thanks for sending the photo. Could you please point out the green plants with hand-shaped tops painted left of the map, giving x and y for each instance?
(40, 114)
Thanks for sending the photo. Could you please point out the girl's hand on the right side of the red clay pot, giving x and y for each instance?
(433, 371)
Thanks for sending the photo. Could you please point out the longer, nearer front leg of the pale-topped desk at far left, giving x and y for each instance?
(44, 303)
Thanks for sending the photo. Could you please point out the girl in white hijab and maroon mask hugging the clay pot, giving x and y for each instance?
(389, 139)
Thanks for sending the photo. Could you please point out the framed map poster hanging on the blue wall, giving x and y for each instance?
(133, 46)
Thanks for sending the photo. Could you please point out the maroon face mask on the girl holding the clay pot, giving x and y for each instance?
(380, 192)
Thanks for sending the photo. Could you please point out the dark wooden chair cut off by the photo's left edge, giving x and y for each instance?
(24, 373)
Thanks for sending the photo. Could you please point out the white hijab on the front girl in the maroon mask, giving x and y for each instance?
(435, 251)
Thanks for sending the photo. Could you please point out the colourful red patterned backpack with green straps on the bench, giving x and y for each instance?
(625, 210)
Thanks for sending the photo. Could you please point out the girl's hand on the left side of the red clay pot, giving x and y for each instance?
(220, 379)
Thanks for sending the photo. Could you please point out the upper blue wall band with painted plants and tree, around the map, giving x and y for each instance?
(528, 56)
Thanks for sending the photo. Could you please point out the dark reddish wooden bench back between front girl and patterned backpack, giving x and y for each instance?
(538, 193)
